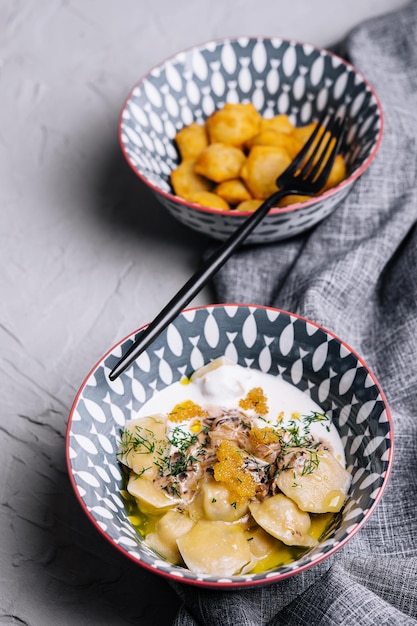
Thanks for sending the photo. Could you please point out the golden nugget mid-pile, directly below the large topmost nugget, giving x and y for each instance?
(220, 162)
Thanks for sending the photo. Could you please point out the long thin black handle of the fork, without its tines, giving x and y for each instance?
(192, 287)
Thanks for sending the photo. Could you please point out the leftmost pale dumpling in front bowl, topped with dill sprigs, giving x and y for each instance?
(142, 442)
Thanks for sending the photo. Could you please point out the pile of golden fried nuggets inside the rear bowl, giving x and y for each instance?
(235, 158)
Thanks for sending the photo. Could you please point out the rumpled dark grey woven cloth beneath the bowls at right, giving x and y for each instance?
(356, 274)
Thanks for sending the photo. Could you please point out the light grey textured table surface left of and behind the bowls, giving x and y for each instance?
(87, 256)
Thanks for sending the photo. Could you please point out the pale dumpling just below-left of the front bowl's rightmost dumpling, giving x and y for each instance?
(282, 519)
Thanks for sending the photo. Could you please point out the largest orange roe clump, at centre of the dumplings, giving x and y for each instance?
(230, 470)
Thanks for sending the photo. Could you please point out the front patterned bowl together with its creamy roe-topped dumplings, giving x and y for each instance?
(244, 446)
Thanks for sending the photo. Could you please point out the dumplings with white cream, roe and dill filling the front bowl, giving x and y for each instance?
(236, 460)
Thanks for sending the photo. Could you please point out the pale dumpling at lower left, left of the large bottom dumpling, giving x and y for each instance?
(168, 529)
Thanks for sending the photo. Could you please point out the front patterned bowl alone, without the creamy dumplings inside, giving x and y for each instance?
(301, 352)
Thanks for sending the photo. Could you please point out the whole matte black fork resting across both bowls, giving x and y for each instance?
(306, 175)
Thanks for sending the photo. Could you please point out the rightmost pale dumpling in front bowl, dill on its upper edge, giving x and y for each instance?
(321, 490)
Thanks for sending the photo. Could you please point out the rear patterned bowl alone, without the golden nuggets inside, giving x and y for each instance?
(277, 76)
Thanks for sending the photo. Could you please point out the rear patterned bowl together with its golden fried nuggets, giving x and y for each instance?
(210, 129)
